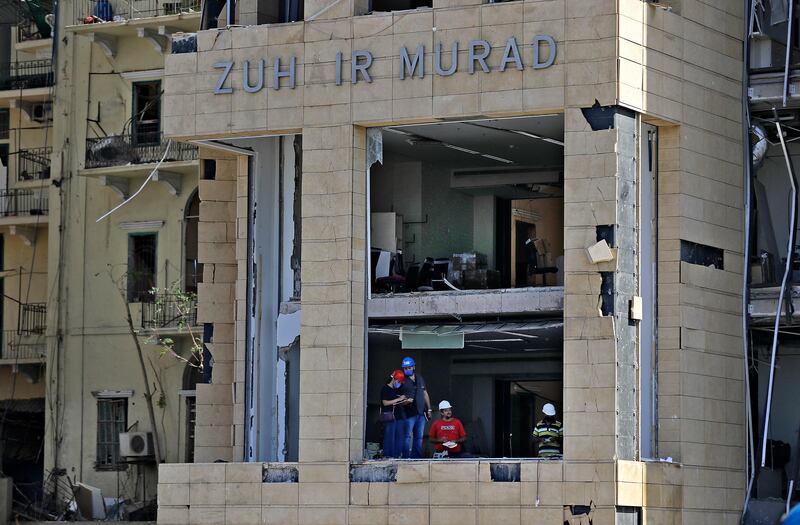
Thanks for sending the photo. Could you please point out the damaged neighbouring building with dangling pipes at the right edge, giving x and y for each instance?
(770, 281)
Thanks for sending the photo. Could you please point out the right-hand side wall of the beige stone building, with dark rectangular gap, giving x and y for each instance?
(684, 71)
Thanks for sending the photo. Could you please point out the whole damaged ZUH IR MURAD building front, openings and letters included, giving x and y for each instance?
(538, 201)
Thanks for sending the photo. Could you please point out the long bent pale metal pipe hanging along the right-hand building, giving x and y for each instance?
(787, 273)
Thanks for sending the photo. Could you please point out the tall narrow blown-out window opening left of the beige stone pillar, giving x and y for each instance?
(272, 338)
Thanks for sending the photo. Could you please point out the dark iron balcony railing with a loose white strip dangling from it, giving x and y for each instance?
(139, 148)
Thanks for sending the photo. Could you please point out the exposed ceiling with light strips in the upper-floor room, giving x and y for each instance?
(513, 139)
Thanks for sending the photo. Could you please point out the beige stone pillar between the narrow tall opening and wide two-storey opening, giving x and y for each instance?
(331, 333)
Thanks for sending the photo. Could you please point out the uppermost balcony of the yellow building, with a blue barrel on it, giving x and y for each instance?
(104, 21)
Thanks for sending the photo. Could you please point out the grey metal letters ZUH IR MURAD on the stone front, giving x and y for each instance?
(543, 54)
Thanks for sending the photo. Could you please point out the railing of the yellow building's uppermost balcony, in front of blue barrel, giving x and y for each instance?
(112, 10)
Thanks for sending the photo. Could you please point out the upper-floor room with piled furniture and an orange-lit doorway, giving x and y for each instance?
(468, 206)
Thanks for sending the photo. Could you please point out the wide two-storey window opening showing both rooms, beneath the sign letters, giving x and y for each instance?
(465, 272)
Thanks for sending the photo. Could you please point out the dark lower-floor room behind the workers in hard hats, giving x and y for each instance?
(497, 375)
